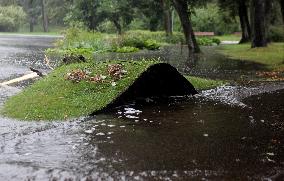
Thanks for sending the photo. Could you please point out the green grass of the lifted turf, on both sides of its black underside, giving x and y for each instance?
(55, 98)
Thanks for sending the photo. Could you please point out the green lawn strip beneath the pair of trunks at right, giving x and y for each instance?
(271, 56)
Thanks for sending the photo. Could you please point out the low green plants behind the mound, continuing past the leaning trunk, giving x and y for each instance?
(80, 42)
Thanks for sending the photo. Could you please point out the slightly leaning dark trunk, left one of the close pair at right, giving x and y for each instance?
(244, 21)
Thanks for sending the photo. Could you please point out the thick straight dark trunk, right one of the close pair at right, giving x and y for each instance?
(258, 24)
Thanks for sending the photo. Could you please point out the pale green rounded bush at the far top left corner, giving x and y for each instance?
(11, 18)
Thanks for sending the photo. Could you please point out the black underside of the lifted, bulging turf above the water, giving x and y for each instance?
(159, 81)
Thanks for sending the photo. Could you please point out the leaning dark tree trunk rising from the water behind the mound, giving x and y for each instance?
(182, 9)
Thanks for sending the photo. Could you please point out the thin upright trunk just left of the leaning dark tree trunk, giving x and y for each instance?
(167, 17)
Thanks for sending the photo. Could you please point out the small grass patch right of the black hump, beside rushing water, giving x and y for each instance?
(202, 83)
